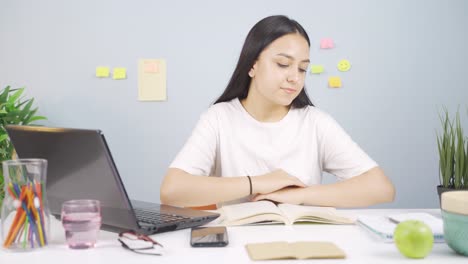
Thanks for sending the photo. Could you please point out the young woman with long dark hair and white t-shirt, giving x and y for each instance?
(264, 139)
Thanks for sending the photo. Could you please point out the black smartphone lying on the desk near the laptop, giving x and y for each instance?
(215, 236)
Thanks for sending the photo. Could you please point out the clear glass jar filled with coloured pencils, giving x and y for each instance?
(25, 212)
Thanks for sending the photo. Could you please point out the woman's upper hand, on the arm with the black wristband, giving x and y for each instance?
(274, 181)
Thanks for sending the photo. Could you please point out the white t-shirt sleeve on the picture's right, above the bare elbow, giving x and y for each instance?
(339, 154)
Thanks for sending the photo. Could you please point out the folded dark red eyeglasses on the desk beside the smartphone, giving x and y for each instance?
(140, 244)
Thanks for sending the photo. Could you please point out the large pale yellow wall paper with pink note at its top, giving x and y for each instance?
(152, 80)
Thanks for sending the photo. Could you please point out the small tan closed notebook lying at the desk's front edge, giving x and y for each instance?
(296, 250)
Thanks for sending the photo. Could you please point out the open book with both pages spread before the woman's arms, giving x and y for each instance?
(266, 212)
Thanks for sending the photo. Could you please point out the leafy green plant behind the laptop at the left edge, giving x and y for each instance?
(16, 110)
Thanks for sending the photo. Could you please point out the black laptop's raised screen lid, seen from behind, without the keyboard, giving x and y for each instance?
(80, 166)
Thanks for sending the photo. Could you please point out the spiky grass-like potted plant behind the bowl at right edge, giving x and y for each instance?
(453, 154)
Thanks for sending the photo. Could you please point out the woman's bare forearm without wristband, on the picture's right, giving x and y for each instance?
(366, 189)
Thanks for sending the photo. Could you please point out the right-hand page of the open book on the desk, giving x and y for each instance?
(317, 214)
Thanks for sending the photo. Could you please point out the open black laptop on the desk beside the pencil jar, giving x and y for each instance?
(80, 166)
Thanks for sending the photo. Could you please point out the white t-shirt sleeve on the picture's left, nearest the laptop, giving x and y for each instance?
(198, 155)
